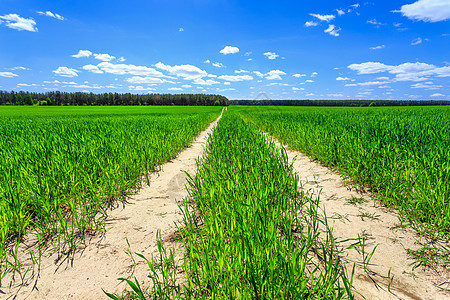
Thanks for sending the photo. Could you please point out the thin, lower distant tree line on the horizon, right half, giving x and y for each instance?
(356, 103)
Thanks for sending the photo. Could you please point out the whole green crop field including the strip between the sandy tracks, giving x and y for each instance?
(249, 231)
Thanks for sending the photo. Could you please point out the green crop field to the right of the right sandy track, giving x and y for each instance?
(400, 153)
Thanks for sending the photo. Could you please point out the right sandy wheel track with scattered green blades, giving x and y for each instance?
(346, 221)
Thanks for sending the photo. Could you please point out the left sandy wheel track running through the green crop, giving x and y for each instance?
(104, 259)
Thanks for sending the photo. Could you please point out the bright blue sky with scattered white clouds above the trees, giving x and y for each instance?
(287, 49)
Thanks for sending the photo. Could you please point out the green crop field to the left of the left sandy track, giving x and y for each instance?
(61, 167)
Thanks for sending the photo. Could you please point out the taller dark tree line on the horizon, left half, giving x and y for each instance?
(78, 99)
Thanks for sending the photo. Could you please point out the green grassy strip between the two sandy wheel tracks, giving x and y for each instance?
(248, 231)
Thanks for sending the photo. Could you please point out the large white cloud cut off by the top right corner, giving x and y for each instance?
(427, 10)
